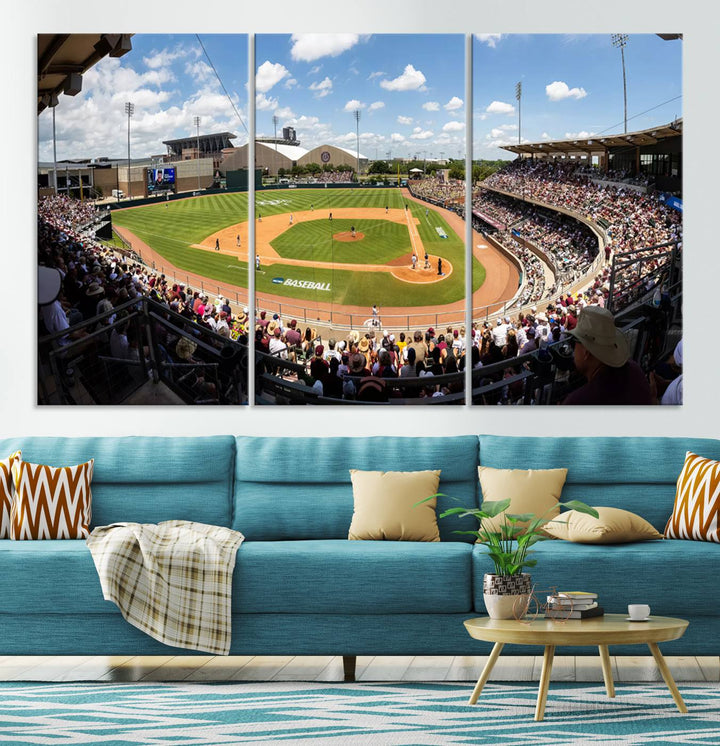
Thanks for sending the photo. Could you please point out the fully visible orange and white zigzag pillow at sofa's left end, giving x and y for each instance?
(51, 502)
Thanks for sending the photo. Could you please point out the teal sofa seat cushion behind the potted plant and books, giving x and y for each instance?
(677, 578)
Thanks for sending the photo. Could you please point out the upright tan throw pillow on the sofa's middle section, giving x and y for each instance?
(385, 505)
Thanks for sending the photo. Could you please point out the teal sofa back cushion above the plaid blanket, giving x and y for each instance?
(145, 479)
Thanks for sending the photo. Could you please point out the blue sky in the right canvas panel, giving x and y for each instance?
(571, 86)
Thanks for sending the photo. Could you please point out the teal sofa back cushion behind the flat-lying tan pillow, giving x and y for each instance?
(637, 474)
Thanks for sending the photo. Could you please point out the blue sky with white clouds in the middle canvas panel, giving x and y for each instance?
(408, 88)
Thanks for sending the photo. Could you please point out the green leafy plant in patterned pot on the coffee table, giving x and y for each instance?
(507, 591)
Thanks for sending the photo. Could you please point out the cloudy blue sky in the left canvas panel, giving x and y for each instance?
(170, 81)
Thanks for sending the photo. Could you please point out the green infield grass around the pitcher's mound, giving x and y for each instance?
(313, 240)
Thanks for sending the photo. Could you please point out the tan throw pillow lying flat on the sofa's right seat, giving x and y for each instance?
(612, 526)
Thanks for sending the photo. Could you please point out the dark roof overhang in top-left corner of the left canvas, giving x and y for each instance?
(63, 58)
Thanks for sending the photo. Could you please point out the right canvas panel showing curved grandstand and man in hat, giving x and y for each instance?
(577, 192)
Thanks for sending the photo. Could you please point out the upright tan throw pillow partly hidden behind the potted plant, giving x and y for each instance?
(530, 491)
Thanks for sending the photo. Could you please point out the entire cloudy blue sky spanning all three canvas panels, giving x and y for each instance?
(409, 89)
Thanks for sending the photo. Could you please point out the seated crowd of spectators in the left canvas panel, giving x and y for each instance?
(97, 279)
